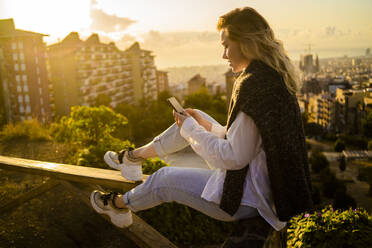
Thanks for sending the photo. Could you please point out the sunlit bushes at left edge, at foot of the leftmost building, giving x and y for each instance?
(29, 129)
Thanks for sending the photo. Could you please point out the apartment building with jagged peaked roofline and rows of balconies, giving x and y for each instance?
(81, 71)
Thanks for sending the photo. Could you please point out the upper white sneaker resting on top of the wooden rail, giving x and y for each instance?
(130, 170)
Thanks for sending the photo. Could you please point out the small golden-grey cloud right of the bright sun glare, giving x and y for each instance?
(102, 21)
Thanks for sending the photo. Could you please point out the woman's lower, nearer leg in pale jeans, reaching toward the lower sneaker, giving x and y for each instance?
(181, 185)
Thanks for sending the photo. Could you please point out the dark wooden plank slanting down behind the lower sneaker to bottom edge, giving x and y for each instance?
(144, 235)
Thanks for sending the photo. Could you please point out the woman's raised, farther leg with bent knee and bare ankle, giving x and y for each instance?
(167, 142)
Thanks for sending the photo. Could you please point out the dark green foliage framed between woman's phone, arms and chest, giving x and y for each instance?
(214, 105)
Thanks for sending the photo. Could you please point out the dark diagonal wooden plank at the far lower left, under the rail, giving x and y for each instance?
(14, 203)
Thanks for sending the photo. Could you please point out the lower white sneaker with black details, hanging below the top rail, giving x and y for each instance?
(102, 203)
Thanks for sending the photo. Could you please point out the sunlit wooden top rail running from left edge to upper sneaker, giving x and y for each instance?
(88, 175)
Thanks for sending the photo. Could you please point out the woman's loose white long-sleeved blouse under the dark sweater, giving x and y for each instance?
(242, 145)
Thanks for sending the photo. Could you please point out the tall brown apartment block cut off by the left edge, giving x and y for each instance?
(23, 74)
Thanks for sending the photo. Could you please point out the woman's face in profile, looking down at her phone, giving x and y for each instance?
(232, 53)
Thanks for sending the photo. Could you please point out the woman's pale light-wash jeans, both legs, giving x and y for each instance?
(181, 185)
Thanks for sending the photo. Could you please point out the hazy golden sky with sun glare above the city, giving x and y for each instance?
(183, 32)
